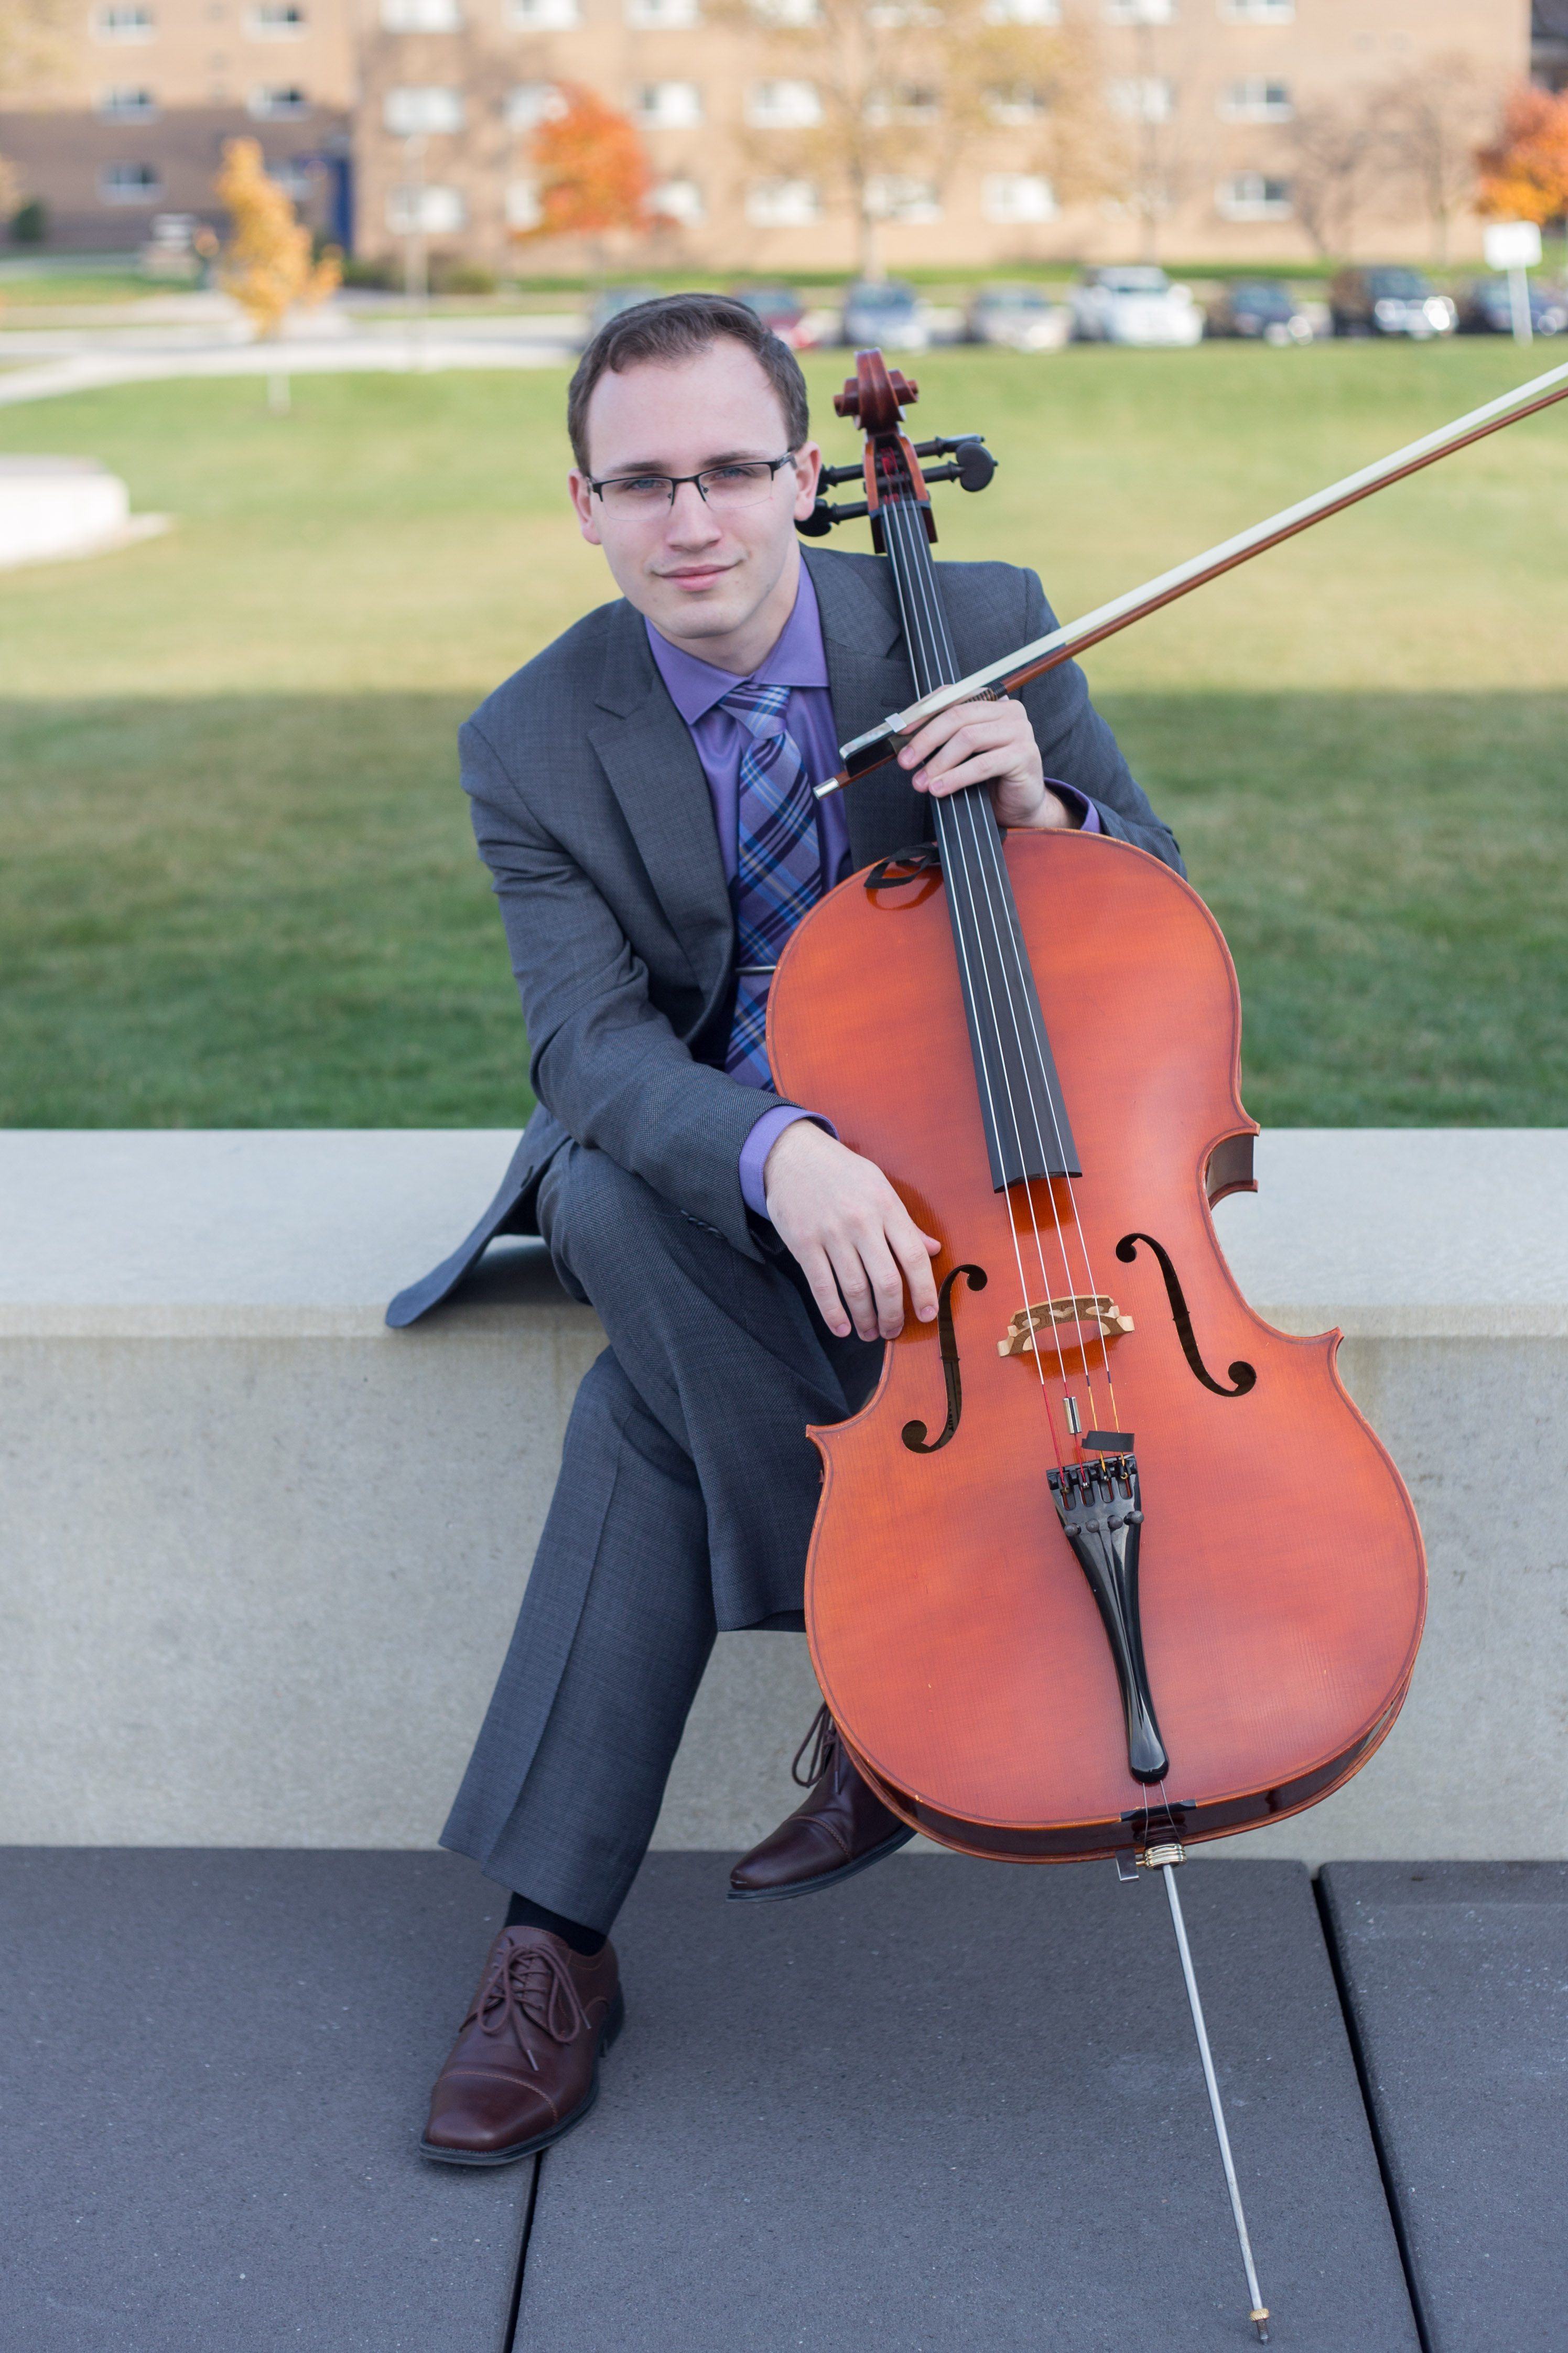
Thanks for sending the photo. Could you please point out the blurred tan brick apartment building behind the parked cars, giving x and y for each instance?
(397, 114)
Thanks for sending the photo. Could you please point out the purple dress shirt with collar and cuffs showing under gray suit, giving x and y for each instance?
(797, 662)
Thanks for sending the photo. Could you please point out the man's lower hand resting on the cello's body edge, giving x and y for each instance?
(851, 1234)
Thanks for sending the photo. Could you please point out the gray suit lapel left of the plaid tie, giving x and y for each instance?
(663, 794)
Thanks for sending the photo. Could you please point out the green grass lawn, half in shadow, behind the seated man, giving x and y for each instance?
(237, 872)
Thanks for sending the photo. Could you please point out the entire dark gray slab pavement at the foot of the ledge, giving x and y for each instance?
(952, 2105)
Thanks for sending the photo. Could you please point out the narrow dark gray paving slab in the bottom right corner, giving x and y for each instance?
(1459, 1985)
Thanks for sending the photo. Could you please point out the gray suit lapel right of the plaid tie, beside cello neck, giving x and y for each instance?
(868, 679)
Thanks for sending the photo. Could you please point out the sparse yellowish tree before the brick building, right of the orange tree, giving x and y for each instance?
(882, 100)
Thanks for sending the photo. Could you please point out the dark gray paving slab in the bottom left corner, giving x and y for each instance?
(213, 2072)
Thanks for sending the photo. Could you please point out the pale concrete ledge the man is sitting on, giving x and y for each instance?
(263, 1557)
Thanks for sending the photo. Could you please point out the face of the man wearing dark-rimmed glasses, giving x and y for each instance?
(698, 573)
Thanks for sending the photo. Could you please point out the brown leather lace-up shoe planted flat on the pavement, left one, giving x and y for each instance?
(526, 2062)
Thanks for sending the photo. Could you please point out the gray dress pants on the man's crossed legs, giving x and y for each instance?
(684, 1507)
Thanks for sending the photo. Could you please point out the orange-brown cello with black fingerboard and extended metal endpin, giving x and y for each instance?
(1105, 1566)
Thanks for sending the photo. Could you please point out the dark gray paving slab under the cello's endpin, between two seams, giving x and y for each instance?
(959, 2105)
